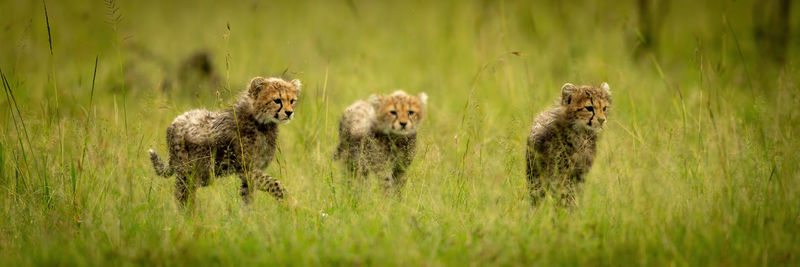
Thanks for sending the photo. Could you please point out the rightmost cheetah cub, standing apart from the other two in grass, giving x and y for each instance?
(562, 141)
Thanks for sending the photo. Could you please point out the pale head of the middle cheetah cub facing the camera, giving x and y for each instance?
(398, 113)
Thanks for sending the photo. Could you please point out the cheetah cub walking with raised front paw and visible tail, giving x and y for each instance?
(240, 140)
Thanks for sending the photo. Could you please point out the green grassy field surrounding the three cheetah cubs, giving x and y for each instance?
(697, 166)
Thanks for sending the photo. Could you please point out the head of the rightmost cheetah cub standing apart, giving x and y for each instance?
(586, 107)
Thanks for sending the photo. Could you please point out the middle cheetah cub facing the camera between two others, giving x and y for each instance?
(380, 135)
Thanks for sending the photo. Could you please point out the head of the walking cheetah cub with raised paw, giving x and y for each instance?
(273, 99)
